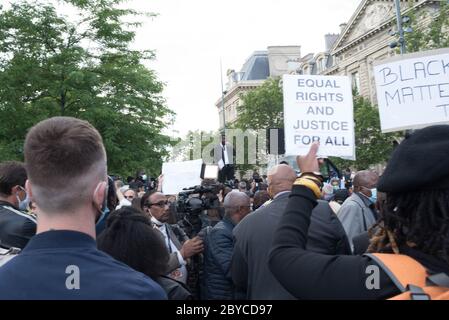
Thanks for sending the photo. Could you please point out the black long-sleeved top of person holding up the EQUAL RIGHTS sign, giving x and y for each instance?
(309, 275)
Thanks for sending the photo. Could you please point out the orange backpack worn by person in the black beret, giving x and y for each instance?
(414, 281)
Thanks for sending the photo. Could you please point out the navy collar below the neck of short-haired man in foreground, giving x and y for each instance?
(60, 239)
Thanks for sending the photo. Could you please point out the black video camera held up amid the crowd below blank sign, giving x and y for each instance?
(193, 205)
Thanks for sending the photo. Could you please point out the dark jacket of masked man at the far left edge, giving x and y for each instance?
(16, 227)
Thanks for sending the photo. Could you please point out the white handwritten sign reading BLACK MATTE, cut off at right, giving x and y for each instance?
(413, 90)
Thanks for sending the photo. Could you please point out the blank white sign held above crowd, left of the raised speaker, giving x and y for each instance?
(179, 175)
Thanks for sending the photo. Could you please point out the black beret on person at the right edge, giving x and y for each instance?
(420, 162)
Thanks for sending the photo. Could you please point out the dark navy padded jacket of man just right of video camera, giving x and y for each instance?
(217, 279)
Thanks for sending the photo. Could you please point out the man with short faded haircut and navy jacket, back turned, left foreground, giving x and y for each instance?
(66, 165)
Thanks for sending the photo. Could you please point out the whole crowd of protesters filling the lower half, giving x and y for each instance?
(87, 235)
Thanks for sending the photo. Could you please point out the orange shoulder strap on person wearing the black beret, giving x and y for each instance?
(402, 269)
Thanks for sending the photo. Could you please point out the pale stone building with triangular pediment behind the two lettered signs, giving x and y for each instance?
(366, 38)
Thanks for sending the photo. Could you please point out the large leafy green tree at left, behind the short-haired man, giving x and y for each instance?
(81, 66)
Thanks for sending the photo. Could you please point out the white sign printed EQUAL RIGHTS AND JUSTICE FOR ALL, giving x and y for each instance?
(318, 108)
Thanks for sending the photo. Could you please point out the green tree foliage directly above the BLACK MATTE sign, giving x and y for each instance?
(429, 29)
